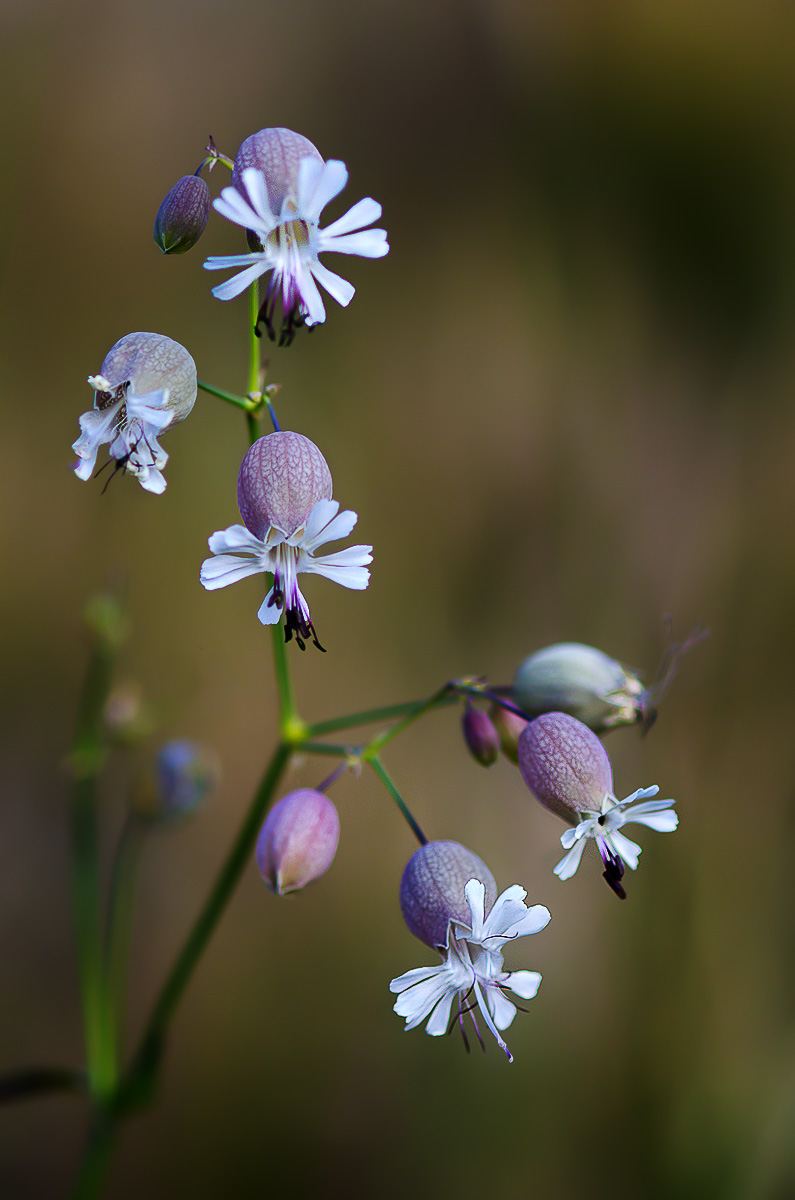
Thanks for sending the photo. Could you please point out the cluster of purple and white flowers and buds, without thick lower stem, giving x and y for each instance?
(563, 698)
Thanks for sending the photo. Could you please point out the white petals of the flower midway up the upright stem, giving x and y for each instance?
(240, 554)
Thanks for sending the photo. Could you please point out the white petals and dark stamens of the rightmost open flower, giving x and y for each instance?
(614, 847)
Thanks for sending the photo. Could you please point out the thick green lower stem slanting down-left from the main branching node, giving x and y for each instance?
(146, 1063)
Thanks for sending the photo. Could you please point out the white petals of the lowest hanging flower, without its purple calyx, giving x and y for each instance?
(473, 969)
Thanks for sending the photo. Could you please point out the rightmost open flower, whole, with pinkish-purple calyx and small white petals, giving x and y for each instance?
(569, 771)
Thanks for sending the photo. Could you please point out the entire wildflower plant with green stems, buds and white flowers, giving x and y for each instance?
(279, 189)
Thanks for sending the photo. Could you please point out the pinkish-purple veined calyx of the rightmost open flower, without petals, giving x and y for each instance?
(565, 766)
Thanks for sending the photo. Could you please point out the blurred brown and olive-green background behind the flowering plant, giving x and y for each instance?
(563, 407)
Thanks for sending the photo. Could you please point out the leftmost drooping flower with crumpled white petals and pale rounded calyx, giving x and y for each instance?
(147, 385)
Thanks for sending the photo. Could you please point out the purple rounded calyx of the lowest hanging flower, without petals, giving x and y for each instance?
(432, 891)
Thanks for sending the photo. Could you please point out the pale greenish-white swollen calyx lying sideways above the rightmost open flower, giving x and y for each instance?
(579, 681)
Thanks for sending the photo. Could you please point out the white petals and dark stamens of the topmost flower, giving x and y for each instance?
(292, 242)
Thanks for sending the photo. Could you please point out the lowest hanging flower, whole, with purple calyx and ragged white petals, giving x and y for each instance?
(473, 969)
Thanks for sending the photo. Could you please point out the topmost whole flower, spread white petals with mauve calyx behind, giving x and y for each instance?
(280, 185)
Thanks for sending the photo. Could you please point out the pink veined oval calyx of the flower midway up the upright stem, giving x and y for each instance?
(283, 477)
